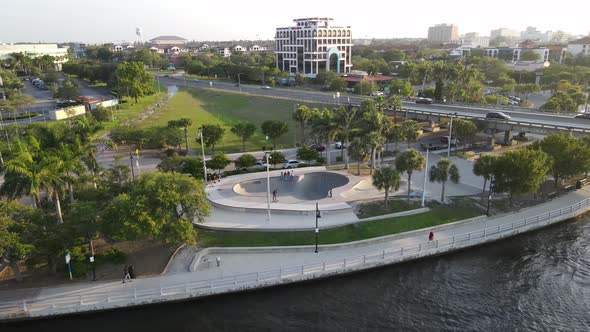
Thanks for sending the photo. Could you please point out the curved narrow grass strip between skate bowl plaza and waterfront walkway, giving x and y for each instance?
(437, 216)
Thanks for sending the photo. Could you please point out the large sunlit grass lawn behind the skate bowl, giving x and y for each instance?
(204, 106)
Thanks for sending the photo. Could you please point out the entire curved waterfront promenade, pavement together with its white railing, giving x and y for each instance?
(250, 268)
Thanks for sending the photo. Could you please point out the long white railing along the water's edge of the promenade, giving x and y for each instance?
(196, 288)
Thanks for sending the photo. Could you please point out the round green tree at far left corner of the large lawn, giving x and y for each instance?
(134, 80)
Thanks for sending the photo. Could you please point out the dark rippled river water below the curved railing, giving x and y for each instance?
(534, 282)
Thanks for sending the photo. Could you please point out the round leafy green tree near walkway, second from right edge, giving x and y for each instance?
(520, 171)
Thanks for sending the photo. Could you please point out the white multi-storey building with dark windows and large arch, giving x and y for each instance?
(314, 45)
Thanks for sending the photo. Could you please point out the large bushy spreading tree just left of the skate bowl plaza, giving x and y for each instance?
(159, 206)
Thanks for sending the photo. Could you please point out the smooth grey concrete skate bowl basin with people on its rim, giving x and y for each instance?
(306, 187)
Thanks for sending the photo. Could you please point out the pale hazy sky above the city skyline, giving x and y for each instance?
(116, 20)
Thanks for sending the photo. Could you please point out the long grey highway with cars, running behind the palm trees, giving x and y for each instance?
(517, 114)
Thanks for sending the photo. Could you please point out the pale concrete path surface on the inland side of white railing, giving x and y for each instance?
(262, 260)
